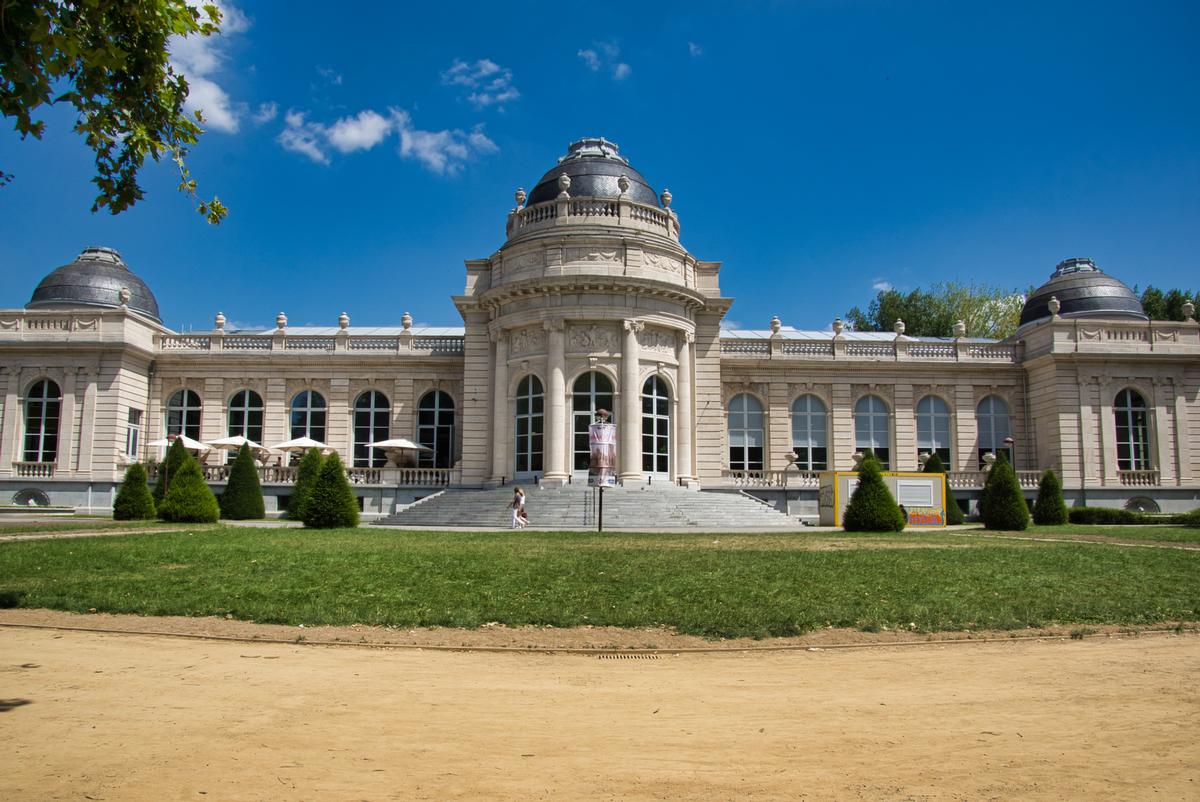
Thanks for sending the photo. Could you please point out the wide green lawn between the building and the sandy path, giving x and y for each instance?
(716, 585)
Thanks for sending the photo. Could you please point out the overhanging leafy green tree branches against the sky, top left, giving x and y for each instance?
(110, 62)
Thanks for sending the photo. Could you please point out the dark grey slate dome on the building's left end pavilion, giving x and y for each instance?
(95, 279)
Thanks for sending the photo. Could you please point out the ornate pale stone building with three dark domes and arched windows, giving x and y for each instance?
(591, 303)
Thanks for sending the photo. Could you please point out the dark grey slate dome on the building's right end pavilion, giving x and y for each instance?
(1083, 291)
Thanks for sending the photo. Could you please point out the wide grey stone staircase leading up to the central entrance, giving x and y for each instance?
(573, 507)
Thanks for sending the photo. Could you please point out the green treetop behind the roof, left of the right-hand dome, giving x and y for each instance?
(988, 312)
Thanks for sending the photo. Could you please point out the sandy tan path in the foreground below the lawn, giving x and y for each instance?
(131, 717)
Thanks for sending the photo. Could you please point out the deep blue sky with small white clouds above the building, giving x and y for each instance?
(820, 151)
